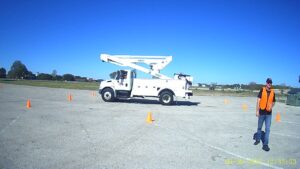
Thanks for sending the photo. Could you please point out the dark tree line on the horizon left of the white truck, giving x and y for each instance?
(19, 71)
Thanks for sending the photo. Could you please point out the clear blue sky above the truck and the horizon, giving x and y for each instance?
(223, 41)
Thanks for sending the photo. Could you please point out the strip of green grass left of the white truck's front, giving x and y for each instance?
(54, 84)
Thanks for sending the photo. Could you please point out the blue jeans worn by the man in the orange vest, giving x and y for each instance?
(261, 119)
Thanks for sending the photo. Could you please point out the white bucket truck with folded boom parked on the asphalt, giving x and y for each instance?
(124, 84)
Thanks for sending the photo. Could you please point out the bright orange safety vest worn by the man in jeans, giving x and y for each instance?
(265, 101)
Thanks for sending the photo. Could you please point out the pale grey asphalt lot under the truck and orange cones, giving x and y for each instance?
(203, 132)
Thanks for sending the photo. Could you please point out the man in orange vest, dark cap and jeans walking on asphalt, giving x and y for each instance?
(265, 103)
